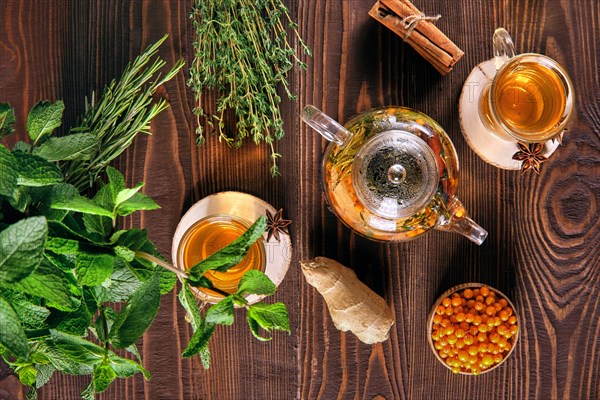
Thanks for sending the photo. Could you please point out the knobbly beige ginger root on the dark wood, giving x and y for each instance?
(352, 305)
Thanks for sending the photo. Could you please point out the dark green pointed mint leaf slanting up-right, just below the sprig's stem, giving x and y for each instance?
(137, 315)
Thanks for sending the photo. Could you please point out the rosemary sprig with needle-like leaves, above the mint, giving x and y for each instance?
(123, 111)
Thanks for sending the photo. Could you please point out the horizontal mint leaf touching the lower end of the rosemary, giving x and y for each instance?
(79, 146)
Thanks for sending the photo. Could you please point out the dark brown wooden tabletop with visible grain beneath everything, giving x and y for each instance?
(543, 248)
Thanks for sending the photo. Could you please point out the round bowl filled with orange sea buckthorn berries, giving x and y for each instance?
(472, 328)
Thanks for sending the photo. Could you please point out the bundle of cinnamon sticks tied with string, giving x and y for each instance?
(408, 22)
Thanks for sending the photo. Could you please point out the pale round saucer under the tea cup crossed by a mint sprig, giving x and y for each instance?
(249, 208)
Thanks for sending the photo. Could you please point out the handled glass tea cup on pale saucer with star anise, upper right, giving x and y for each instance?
(515, 108)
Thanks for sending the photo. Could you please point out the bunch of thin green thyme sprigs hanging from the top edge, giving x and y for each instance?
(242, 52)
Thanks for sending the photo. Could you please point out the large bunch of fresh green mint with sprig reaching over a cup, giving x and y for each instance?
(65, 266)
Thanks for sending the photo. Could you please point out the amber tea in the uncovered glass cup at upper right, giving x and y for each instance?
(530, 99)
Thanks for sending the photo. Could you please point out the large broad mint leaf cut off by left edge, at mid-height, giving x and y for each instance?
(21, 248)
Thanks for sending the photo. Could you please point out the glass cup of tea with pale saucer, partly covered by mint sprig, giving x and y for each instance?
(214, 222)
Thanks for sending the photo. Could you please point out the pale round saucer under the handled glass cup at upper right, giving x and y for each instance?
(493, 149)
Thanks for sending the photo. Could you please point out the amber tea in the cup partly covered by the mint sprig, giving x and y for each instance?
(210, 235)
